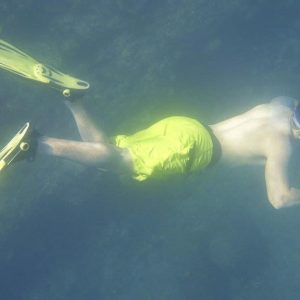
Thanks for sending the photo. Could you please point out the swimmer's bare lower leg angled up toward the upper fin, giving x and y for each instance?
(86, 127)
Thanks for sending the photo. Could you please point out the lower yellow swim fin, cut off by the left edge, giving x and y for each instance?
(14, 149)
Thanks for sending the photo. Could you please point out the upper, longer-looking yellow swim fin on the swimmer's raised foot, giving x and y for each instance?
(18, 62)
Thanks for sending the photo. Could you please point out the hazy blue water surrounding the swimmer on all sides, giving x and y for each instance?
(67, 232)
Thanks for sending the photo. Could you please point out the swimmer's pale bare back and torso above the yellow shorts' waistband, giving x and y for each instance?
(247, 138)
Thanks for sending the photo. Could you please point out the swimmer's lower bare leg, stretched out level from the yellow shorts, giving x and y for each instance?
(100, 155)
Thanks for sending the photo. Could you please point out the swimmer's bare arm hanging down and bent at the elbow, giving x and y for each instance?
(280, 194)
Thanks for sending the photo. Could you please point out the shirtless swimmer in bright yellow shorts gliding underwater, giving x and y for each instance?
(181, 145)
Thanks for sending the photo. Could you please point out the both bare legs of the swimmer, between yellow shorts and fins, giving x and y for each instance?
(93, 151)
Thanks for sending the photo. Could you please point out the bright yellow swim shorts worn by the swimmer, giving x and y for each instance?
(171, 146)
